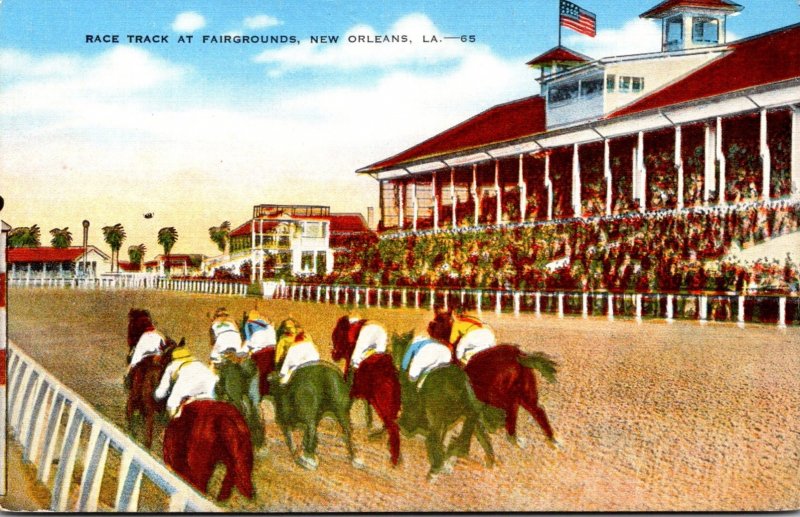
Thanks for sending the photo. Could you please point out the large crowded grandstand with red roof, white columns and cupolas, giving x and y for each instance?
(626, 174)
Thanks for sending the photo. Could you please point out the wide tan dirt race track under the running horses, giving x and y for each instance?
(650, 416)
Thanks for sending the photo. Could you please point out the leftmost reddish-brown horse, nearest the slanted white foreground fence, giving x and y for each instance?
(144, 378)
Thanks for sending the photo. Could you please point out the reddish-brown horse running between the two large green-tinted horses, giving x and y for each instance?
(375, 381)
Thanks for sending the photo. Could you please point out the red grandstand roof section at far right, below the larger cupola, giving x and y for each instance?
(761, 60)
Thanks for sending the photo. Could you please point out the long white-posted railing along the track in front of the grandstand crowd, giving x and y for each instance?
(704, 307)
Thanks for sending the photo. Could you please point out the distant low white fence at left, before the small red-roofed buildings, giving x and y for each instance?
(134, 282)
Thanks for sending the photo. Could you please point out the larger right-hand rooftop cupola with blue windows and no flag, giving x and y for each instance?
(688, 24)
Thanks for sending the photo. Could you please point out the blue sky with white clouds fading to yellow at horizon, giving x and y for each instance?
(197, 132)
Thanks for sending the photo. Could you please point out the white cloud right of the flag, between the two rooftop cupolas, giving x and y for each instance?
(637, 36)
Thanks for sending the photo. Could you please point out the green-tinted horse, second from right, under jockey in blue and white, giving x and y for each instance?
(445, 397)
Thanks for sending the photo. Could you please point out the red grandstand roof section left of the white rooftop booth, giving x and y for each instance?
(501, 123)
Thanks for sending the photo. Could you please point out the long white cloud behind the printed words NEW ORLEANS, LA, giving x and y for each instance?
(347, 56)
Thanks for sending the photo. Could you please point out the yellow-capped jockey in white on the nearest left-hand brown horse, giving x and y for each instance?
(185, 378)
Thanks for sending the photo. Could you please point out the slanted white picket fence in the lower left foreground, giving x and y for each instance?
(37, 404)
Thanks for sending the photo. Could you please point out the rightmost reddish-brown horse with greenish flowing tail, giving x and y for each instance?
(502, 377)
